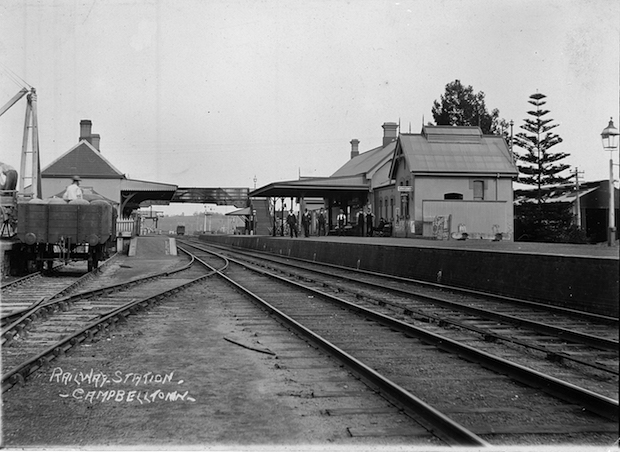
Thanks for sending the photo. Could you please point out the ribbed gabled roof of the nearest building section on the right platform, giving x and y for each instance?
(453, 149)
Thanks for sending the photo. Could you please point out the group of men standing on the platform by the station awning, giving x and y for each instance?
(365, 223)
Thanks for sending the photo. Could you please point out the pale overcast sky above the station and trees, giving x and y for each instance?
(215, 93)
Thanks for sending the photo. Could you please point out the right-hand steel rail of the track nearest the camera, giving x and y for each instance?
(596, 403)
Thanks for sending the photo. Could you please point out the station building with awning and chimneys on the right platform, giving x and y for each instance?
(443, 182)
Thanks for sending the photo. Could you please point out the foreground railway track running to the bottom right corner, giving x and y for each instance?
(465, 396)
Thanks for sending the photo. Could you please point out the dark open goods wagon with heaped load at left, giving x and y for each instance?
(54, 229)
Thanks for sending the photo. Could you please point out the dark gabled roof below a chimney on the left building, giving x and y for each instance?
(83, 160)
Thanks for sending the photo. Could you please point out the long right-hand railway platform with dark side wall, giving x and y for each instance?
(583, 277)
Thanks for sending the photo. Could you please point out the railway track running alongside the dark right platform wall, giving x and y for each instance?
(574, 346)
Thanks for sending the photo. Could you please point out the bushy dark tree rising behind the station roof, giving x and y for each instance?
(460, 106)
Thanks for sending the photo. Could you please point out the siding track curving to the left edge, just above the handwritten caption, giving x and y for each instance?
(55, 325)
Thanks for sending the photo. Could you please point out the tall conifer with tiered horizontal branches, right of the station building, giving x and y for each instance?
(539, 166)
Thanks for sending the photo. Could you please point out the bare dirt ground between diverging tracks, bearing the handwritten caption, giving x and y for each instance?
(172, 381)
